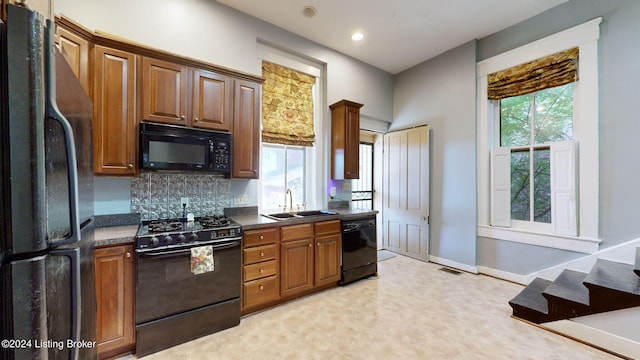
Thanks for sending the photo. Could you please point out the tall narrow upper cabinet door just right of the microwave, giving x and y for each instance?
(246, 130)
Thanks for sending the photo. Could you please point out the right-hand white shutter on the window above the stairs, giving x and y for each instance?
(563, 188)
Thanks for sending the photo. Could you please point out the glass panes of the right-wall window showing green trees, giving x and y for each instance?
(529, 125)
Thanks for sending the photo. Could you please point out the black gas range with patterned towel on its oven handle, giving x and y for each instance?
(188, 280)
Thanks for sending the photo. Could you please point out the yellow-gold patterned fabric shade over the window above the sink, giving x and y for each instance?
(287, 106)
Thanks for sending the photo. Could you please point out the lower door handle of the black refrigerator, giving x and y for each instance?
(76, 297)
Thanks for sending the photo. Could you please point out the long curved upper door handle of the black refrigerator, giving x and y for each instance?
(52, 112)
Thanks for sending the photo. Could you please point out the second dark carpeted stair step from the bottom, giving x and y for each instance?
(567, 296)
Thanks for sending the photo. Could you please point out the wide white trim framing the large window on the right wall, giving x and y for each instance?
(586, 115)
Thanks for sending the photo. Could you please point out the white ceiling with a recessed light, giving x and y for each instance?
(398, 33)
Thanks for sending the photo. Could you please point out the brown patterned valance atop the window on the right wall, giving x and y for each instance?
(551, 71)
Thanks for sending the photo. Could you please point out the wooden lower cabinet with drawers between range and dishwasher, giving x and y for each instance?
(282, 263)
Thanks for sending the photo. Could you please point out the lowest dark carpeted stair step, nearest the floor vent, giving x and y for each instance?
(529, 304)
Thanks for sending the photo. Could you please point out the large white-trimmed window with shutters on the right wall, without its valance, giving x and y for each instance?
(531, 146)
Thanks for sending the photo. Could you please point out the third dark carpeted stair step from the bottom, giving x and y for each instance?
(612, 286)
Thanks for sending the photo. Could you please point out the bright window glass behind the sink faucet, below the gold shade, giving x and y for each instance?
(283, 167)
